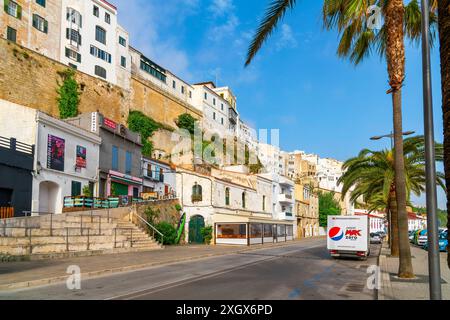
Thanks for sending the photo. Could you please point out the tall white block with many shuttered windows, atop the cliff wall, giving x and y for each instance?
(93, 42)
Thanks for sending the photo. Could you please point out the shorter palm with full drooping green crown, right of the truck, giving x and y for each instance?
(372, 175)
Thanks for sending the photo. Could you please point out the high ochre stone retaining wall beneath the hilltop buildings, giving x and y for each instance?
(30, 79)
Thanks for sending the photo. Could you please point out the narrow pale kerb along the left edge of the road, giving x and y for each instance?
(97, 273)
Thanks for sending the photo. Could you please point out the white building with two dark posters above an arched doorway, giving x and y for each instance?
(66, 157)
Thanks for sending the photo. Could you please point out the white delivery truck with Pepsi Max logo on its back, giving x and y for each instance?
(348, 236)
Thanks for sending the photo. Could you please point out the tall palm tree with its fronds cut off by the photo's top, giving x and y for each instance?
(357, 41)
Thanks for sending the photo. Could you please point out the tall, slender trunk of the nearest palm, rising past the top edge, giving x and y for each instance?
(395, 52)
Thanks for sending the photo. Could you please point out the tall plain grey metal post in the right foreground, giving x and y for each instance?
(430, 161)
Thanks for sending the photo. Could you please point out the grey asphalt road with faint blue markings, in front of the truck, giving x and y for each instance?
(302, 270)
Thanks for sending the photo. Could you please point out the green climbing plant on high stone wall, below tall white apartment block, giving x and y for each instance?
(69, 97)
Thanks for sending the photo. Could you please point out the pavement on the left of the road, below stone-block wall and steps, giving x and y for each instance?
(16, 275)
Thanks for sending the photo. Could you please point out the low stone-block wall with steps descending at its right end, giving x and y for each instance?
(74, 234)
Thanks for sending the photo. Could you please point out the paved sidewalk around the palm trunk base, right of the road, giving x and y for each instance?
(393, 288)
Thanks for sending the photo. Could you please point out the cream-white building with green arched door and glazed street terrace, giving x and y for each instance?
(238, 206)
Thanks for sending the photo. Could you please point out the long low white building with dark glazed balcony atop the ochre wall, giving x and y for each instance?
(160, 77)
